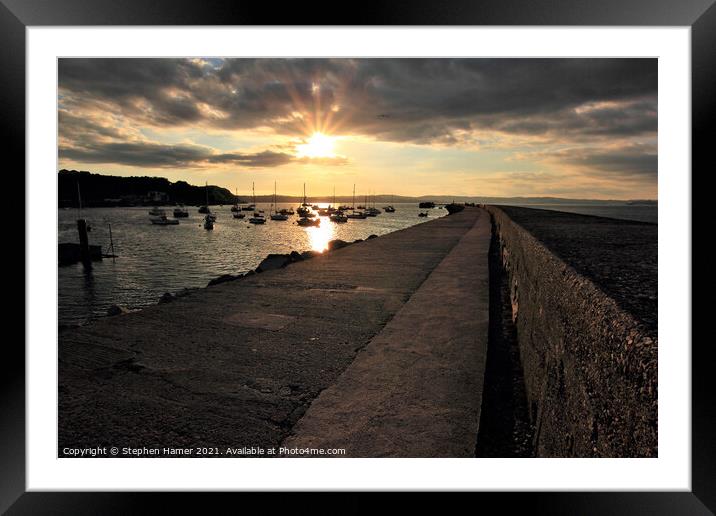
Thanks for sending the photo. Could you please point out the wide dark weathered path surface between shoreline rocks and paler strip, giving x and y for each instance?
(239, 363)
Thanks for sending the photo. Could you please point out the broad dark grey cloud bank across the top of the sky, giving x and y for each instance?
(421, 100)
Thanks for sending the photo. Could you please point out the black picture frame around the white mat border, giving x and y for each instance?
(17, 15)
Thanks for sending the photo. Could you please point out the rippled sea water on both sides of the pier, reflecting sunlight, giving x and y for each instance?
(157, 259)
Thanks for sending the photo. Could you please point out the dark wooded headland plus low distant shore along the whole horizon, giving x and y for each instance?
(99, 190)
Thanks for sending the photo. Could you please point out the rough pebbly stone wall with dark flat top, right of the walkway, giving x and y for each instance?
(583, 299)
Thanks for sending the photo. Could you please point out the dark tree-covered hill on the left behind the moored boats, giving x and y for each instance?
(101, 190)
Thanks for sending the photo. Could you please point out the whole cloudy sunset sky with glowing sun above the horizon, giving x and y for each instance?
(576, 128)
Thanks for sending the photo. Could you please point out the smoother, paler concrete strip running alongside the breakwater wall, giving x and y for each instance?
(416, 389)
